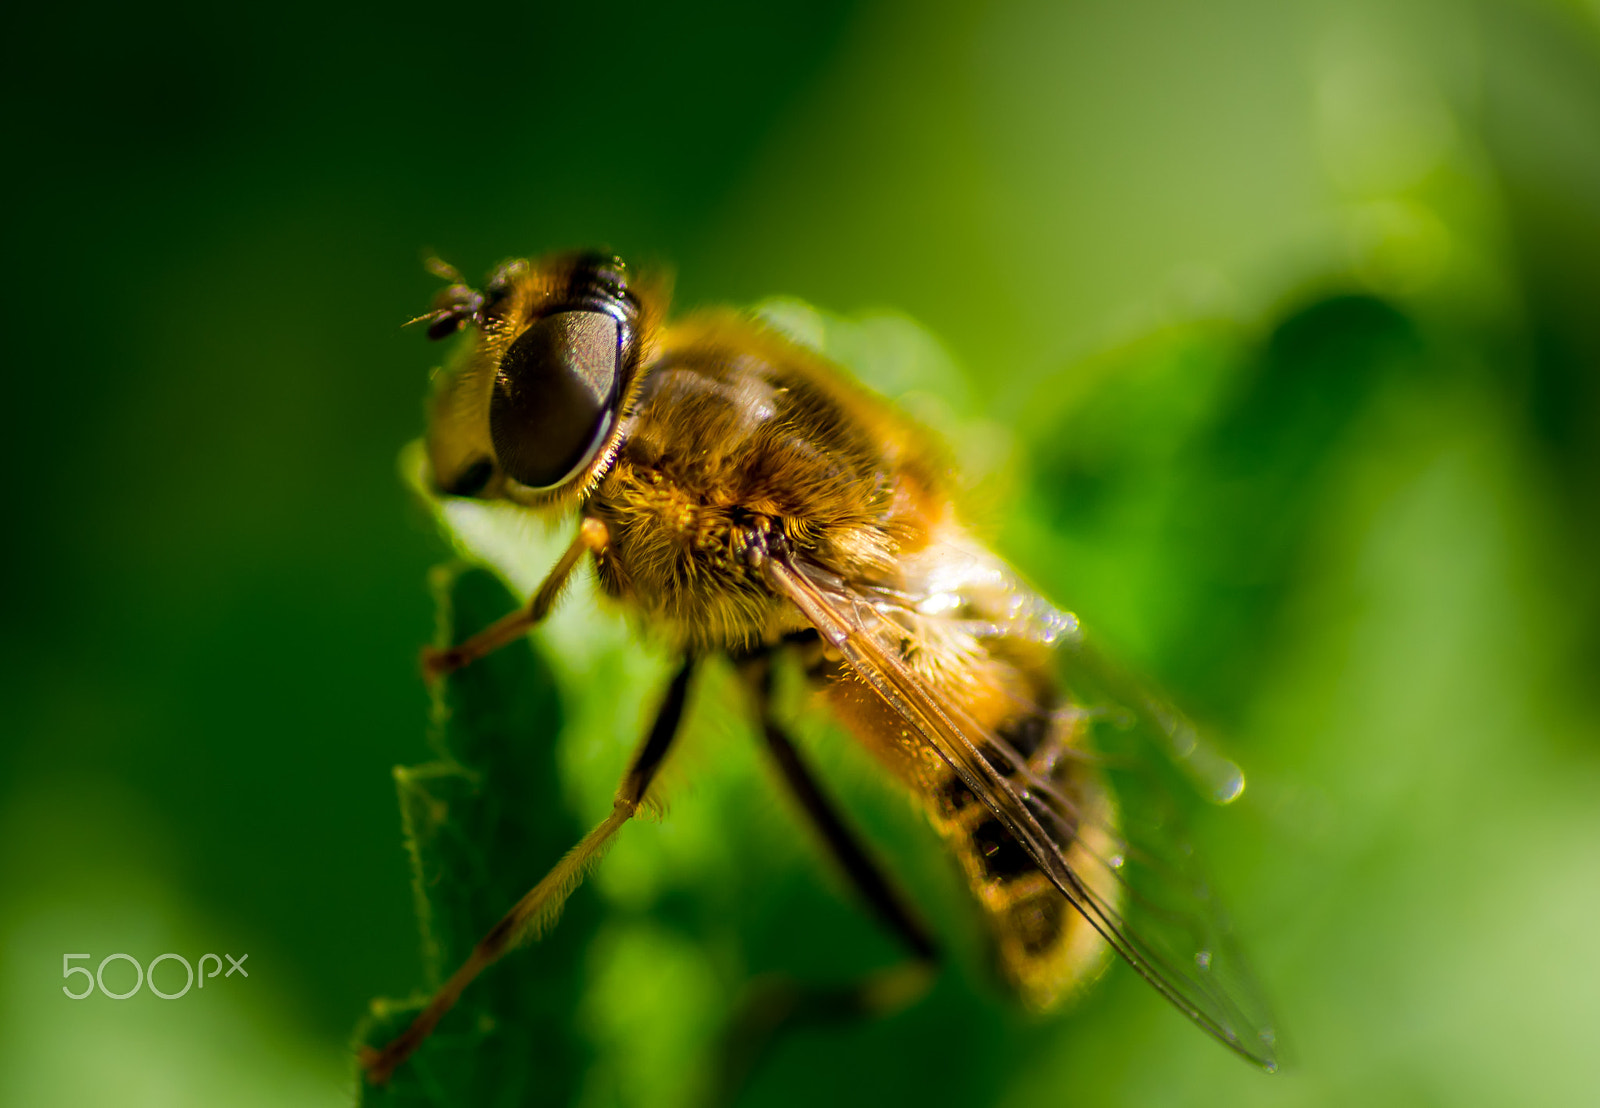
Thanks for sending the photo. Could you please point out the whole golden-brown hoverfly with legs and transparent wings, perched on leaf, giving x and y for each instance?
(743, 497)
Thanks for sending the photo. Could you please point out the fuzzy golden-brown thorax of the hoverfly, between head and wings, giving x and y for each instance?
(732, 443)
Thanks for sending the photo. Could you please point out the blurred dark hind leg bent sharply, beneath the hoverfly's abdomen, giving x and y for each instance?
(778, 1003)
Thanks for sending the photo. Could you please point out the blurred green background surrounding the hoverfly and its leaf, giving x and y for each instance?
(1271, 332)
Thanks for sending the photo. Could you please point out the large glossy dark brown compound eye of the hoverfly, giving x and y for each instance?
(554, 396)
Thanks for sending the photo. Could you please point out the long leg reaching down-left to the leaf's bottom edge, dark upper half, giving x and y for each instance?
(540, 909)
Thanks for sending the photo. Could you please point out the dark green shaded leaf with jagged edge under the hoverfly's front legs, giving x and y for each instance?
(482, 825)
